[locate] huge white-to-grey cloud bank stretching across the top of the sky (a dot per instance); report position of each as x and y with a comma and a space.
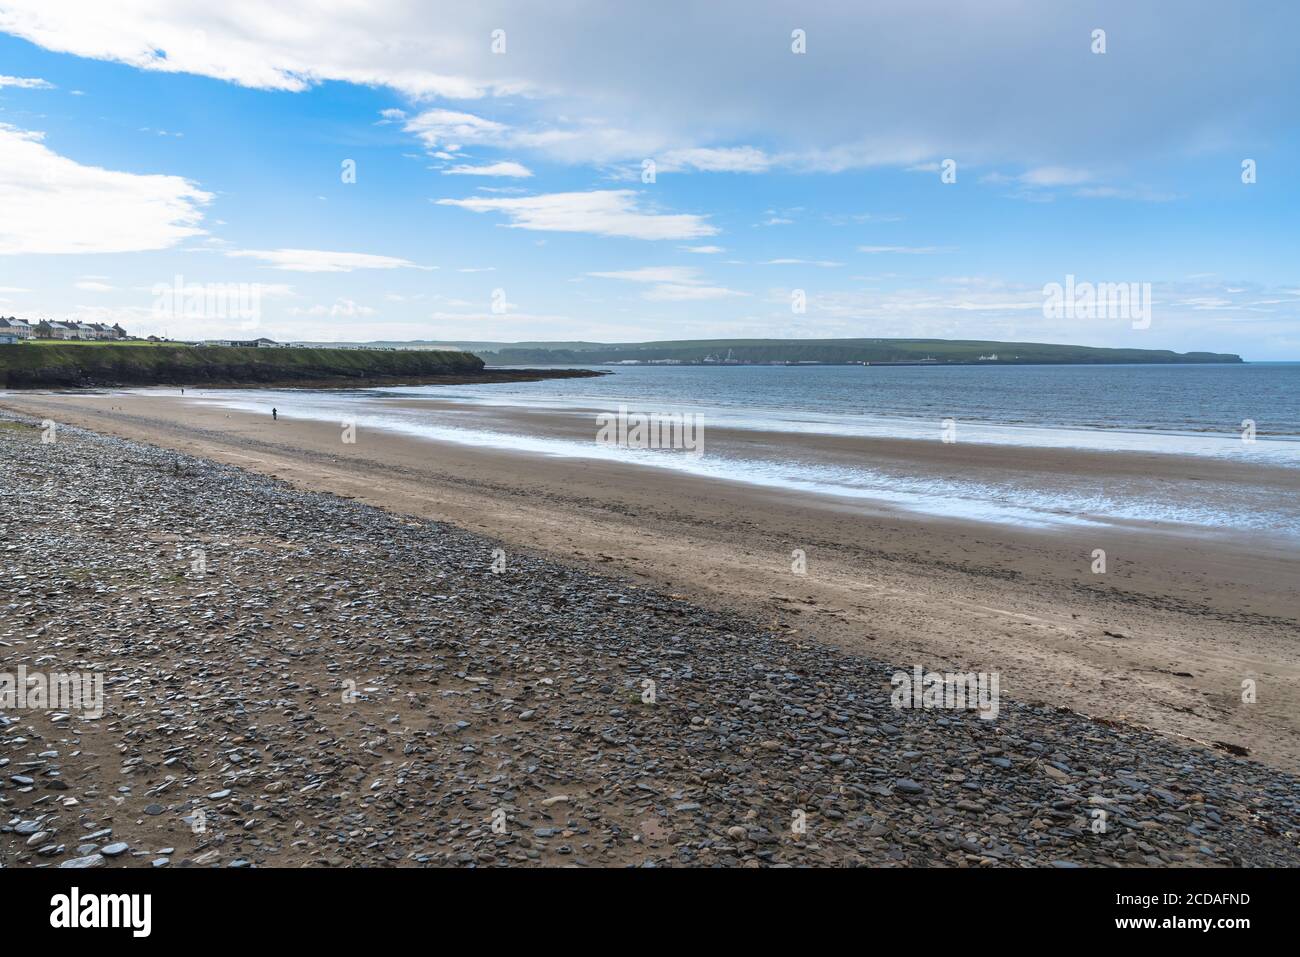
809, 112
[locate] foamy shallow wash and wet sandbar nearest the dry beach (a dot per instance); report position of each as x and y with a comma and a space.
1048, 484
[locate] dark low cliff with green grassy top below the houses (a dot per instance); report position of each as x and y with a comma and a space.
49, 366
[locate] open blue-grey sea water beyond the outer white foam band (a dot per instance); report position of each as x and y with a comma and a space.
1150, 399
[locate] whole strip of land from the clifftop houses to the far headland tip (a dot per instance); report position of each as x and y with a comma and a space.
58, 356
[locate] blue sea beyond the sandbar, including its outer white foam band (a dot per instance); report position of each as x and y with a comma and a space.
1189, 410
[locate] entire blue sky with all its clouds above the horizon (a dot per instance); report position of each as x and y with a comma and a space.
623, 172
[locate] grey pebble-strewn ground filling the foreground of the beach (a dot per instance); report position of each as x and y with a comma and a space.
475, 698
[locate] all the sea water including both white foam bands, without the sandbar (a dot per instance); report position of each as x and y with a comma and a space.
1175, 410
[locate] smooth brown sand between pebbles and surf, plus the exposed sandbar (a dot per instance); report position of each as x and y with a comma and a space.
1163, 640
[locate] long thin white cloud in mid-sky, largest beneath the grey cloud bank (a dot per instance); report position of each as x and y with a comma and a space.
604, 213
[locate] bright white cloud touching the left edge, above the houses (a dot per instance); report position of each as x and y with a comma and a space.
54, 205
